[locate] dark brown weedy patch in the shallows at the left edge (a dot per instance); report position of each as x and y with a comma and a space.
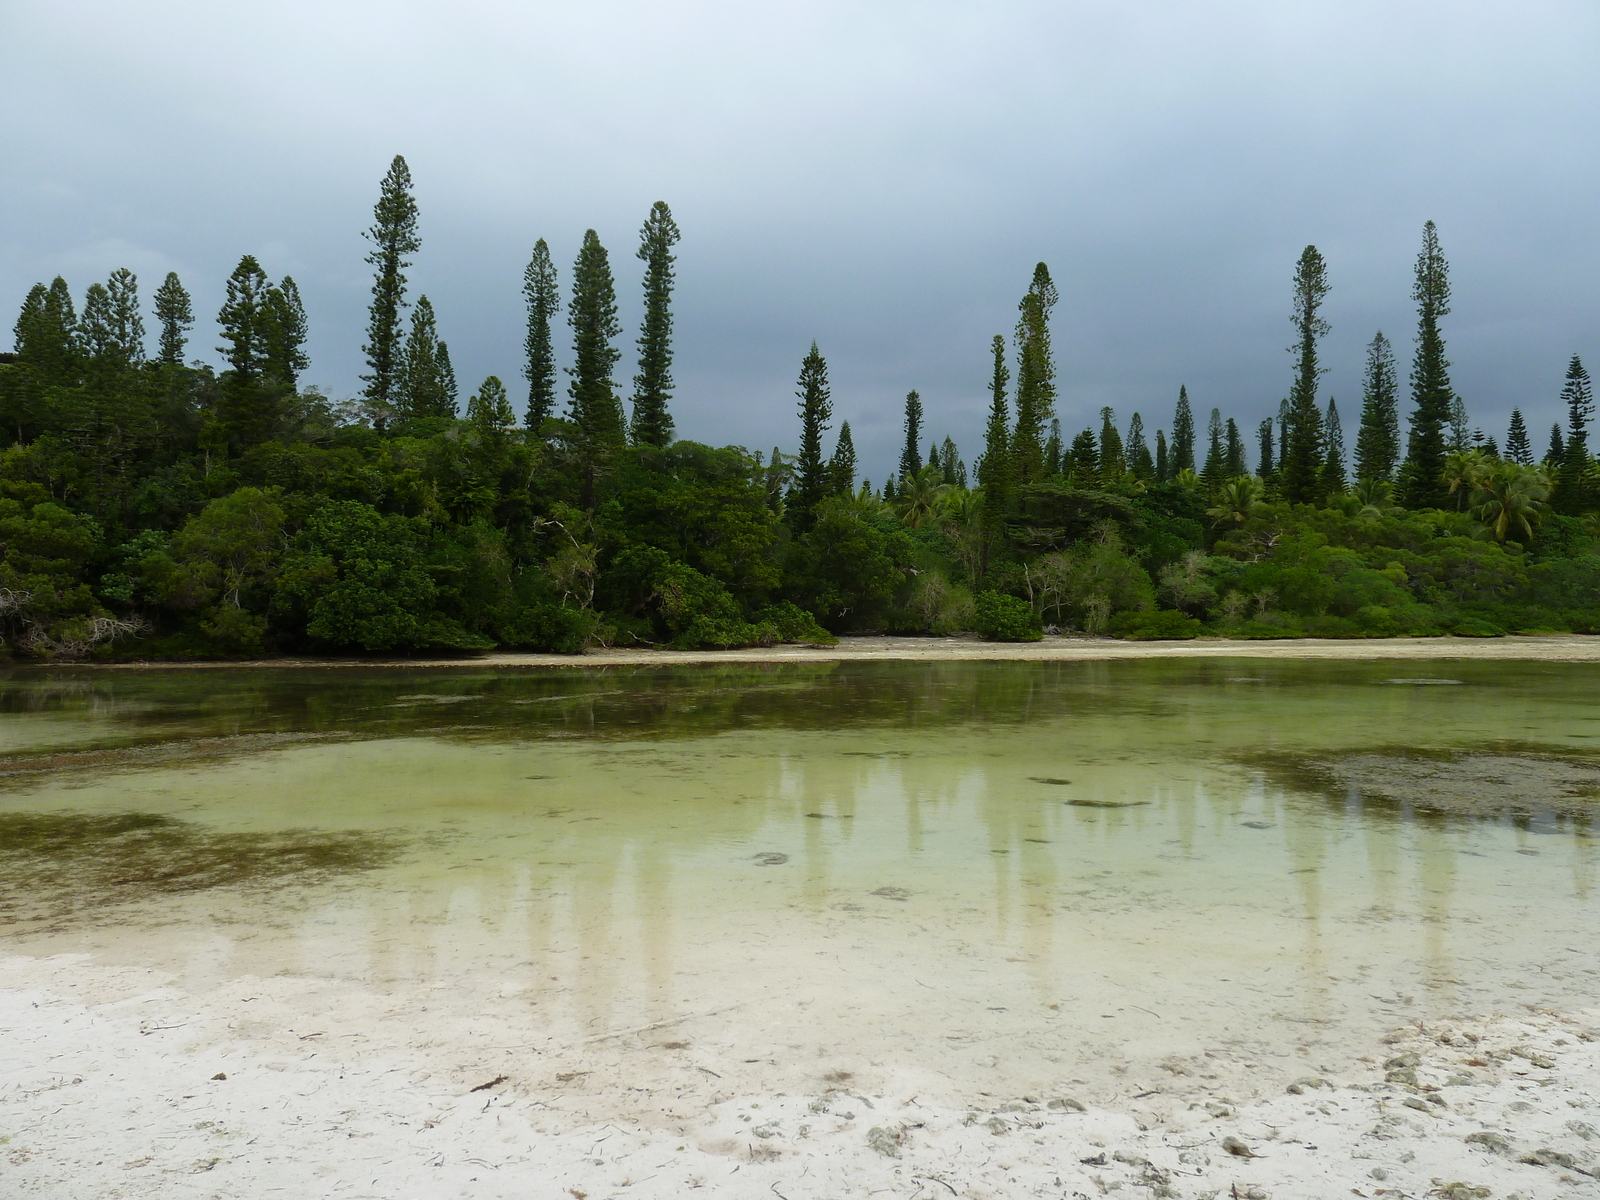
58, 865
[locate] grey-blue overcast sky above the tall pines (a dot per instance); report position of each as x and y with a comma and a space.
878, 177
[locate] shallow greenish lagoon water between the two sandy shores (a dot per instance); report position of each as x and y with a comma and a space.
994, 878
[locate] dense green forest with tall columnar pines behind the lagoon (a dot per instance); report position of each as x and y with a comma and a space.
156, 506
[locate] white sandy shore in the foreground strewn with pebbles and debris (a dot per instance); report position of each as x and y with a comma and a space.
289, 1087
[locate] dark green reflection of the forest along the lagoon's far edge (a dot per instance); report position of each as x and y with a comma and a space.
679, 702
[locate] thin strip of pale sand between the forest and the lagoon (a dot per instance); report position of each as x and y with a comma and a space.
969, 649
